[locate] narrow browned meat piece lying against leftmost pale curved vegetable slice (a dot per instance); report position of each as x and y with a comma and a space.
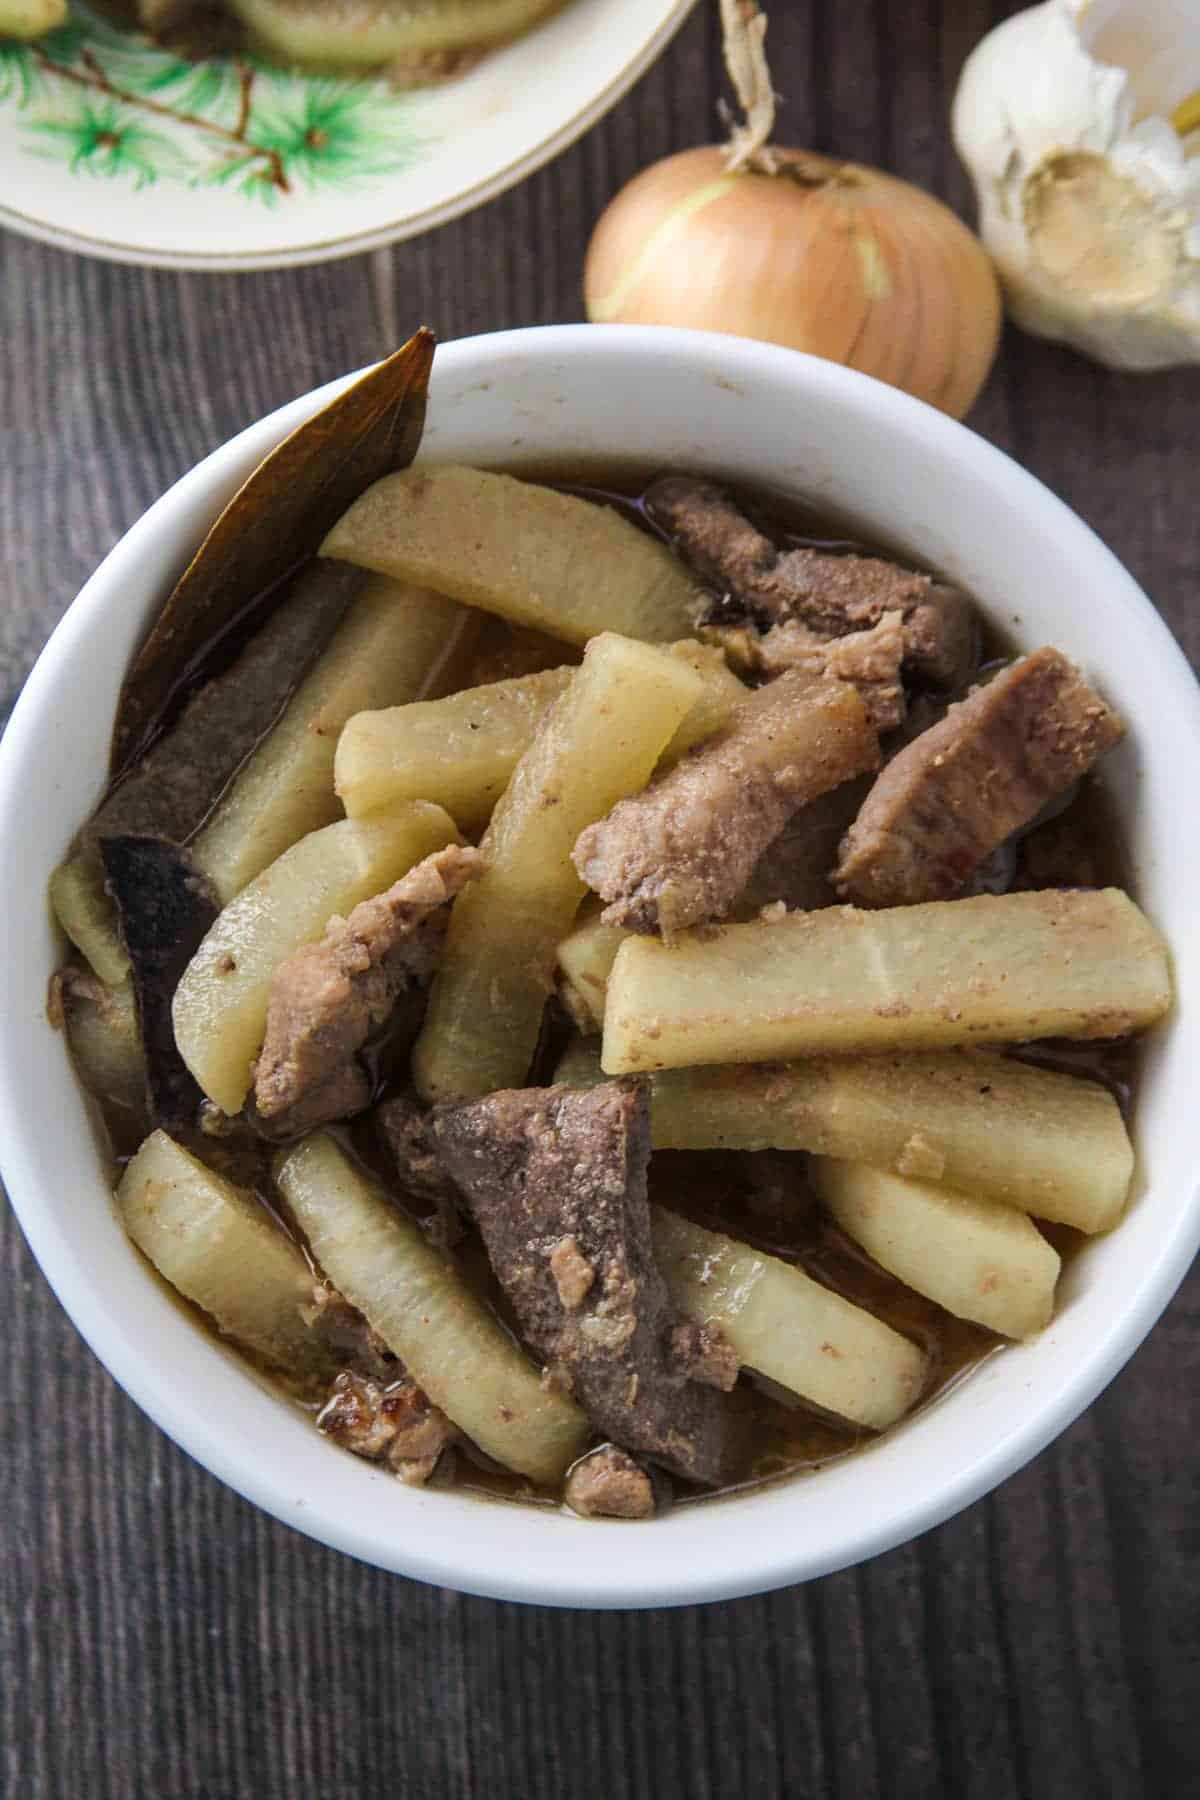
328, 998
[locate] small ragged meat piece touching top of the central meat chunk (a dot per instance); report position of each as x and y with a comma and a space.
870, 661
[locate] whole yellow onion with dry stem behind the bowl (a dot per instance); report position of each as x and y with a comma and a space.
800, 249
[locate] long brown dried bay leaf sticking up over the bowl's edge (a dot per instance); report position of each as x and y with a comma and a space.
274, 523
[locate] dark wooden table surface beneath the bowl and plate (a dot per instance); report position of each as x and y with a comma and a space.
163, 1639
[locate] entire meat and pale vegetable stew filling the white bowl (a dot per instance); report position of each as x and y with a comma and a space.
483, 1036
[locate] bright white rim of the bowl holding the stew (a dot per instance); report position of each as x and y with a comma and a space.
771, 1561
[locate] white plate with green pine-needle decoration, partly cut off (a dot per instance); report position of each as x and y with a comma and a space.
118, 148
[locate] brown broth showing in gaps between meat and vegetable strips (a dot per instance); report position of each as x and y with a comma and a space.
762, 1200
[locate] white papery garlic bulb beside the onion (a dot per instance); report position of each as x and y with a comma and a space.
1080, 127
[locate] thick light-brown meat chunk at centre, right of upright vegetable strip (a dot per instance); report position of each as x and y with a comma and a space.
685, 850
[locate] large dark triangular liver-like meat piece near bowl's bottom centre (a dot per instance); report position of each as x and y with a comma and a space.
541, 1165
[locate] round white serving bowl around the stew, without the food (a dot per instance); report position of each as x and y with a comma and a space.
766, 417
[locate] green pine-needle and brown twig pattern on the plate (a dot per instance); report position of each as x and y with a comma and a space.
112, 103
